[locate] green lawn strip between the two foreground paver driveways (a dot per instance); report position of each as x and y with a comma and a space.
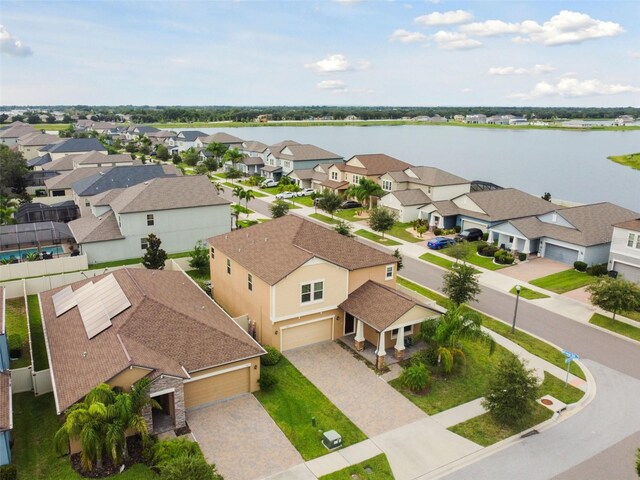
293, 402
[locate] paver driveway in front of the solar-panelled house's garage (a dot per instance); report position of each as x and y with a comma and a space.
240, 437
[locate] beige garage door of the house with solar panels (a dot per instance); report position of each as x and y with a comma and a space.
215, 388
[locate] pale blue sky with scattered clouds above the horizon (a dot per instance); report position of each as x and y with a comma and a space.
333, 52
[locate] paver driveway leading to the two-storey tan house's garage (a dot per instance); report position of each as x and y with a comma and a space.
362, 396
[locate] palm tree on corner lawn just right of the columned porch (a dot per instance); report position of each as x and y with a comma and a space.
446, 332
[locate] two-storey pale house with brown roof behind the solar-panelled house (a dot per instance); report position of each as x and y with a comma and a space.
179, 210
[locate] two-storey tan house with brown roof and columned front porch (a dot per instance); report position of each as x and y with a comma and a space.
291, 277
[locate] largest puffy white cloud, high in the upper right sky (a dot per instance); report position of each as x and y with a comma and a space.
564, 28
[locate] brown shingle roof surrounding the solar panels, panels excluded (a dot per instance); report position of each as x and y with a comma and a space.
171, 324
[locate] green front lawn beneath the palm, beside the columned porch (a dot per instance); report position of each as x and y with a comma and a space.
464, 386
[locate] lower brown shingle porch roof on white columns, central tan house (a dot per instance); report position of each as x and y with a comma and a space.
380, 306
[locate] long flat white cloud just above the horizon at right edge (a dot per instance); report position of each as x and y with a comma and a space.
573, 88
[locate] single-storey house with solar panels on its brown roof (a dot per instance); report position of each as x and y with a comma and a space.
119, 327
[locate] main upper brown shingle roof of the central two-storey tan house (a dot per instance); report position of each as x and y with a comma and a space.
274, 249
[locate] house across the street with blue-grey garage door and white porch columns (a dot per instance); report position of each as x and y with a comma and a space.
566, 235
